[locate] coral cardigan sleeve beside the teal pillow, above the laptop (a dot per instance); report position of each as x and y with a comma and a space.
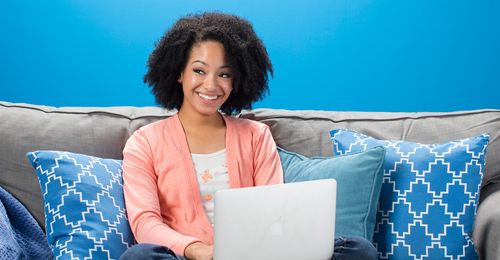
267, 163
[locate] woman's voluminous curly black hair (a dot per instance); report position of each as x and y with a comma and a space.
244, 52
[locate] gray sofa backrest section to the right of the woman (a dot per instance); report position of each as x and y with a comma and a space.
307, 131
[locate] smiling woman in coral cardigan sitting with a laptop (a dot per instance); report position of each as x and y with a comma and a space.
208, 67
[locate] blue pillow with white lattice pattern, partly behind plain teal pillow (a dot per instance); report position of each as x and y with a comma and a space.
429, 195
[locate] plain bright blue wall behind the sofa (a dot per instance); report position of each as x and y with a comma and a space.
328, 54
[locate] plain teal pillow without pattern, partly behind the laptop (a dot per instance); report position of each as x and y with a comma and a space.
356, 200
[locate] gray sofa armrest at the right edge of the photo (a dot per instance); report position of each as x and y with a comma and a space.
487, 228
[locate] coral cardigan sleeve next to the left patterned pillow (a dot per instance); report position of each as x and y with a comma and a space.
141, 198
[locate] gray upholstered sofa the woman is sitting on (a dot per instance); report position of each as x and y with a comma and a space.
103, 131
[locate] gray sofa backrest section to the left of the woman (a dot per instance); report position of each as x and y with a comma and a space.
99, 132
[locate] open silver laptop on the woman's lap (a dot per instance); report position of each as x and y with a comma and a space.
286, 221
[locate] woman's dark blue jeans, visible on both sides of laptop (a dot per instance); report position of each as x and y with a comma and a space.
345, 248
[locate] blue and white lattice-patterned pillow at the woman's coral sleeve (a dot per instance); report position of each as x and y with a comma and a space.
84, 206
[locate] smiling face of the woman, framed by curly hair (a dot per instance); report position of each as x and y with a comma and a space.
206, 80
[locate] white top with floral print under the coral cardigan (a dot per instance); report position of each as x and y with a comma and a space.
211, 172
